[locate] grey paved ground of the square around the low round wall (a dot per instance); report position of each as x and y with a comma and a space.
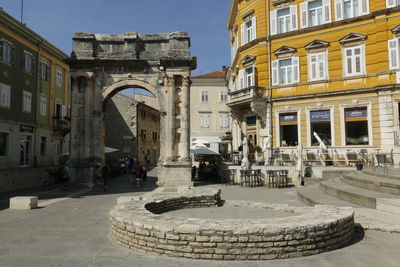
73, 231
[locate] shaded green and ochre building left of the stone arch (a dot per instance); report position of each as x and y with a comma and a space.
34, 104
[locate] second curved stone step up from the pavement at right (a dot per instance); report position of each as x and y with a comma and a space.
360, 196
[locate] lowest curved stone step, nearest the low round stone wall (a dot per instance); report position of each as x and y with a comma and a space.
312, 195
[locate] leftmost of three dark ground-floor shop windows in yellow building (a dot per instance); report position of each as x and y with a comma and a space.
288, 129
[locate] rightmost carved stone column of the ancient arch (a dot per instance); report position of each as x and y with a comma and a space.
185, 120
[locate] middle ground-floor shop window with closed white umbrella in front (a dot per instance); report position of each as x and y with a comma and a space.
321, 125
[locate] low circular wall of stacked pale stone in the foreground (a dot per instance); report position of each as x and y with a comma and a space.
146, 225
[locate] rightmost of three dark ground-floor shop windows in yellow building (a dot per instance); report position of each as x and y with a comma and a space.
356, 126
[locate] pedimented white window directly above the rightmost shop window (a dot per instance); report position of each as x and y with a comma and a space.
354, 63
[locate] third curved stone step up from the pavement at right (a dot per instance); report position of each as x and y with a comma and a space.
371, 182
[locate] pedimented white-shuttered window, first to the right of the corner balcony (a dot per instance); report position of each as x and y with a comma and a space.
285, 71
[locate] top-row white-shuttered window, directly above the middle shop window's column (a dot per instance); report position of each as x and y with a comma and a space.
313, 13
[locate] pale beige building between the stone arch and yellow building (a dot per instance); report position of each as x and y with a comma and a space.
209, 114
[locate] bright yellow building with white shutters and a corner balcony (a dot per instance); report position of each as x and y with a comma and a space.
329, 67
